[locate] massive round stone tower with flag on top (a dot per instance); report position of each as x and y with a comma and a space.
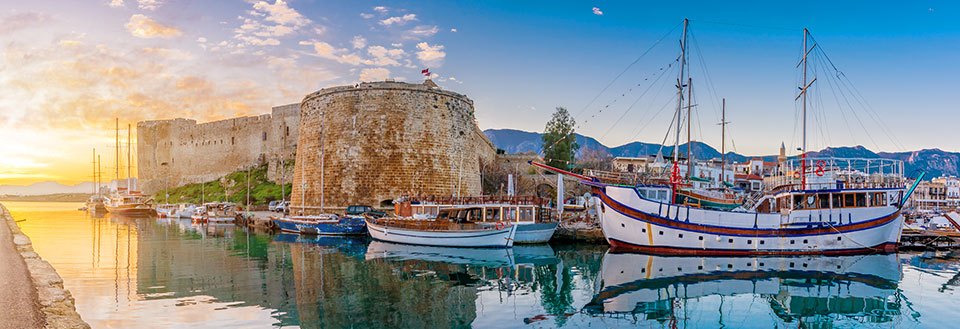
370, 143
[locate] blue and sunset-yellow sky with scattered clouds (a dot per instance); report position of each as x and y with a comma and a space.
885, 71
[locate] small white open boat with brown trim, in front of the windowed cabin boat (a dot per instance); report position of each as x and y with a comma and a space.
454, 227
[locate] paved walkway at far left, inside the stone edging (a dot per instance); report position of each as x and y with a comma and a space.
19, 306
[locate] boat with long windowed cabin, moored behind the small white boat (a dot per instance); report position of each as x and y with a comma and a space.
535, 221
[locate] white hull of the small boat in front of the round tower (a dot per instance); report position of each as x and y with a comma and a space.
490, 238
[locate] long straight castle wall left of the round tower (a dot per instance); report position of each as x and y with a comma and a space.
180, 151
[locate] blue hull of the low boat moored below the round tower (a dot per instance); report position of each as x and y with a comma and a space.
327, 224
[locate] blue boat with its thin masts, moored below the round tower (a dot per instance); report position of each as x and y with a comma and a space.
321, 224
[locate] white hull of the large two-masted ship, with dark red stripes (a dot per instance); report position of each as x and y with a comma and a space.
631, 222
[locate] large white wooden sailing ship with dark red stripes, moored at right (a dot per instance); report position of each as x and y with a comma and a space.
825, 207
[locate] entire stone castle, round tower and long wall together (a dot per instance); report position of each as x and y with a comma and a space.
361, 144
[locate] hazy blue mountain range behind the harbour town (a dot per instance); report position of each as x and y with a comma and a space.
934, 162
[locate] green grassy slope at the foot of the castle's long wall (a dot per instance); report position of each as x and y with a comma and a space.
232, 187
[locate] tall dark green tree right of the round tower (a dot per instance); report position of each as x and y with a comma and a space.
559, 141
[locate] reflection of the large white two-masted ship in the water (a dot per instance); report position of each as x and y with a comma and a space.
808, 290
